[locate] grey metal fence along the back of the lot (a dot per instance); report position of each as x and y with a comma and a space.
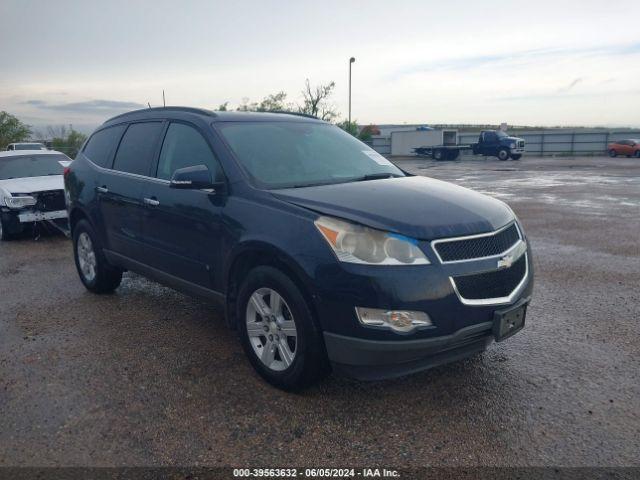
542, 142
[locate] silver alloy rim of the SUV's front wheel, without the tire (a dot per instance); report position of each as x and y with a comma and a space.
271, 329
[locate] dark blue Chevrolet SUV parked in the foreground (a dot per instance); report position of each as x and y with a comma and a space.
322, 252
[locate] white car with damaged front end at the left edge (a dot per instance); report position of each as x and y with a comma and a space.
31, 190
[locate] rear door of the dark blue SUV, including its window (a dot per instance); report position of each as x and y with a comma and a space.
120, 189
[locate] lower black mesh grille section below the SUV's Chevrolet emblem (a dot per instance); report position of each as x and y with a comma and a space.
495, 284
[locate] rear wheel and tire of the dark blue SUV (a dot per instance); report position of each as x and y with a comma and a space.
97, 275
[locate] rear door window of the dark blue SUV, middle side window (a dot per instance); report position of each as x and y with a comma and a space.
137, 148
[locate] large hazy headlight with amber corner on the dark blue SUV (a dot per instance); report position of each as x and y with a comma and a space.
357, 244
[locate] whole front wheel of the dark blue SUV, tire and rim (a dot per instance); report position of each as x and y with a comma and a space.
278, 331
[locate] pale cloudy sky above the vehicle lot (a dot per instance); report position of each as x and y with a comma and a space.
429, 62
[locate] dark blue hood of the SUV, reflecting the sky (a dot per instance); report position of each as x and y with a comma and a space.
419, 207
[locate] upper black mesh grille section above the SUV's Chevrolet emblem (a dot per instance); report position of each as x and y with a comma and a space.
485, 246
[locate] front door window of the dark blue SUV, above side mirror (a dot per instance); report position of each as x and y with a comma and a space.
184, 146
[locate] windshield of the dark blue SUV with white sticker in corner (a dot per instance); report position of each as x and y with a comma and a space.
299, 154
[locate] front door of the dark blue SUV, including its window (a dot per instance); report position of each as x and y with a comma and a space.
182, 227
